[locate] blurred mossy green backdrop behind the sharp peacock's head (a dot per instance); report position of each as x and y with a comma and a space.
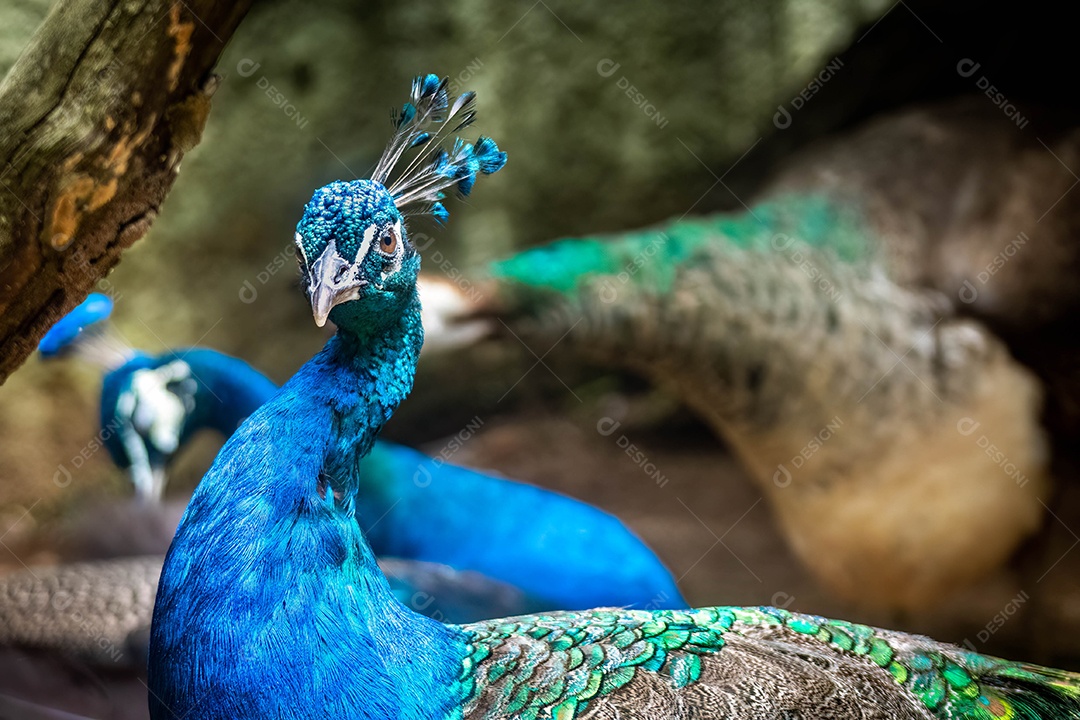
306, 100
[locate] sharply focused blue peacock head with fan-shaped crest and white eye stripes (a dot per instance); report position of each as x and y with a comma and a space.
356, 257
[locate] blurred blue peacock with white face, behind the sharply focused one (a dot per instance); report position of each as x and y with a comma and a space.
413, 508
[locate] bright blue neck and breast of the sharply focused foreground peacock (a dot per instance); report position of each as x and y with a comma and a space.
271, 597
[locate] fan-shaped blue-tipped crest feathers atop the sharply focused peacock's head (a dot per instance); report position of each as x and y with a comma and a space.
425, 125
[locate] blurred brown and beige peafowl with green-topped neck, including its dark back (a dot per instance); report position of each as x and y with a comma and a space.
844, 338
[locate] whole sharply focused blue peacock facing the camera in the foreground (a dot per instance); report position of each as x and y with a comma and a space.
271, 603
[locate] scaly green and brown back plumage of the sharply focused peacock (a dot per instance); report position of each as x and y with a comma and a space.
748, 663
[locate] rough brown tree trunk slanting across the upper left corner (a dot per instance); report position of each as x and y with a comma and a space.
94, 118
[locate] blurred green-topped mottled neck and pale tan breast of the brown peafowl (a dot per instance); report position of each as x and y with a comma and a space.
848, 395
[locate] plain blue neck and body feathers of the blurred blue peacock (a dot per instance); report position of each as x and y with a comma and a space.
564, 553
